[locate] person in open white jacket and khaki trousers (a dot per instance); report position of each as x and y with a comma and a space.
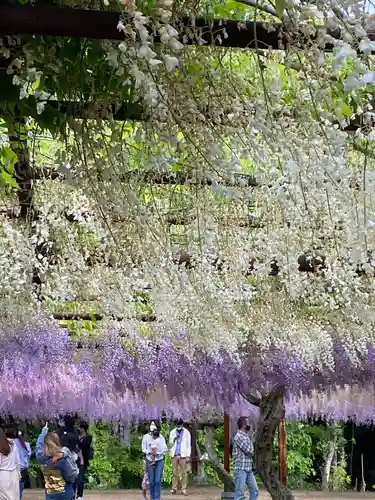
180, 442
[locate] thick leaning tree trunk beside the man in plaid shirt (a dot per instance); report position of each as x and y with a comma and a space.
272, 411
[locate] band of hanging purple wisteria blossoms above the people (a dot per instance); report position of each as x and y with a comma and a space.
44, 374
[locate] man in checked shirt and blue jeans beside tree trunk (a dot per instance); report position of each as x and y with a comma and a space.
243, 452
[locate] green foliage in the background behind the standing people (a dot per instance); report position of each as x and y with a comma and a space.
118, 466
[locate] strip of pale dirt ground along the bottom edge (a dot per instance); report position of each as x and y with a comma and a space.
200, 494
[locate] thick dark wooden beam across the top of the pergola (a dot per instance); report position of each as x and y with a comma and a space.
80, 23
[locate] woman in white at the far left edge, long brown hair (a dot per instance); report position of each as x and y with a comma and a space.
9, 469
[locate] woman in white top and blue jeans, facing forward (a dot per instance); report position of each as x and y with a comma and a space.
154, 448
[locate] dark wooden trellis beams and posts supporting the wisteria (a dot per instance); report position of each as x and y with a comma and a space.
65, 22
